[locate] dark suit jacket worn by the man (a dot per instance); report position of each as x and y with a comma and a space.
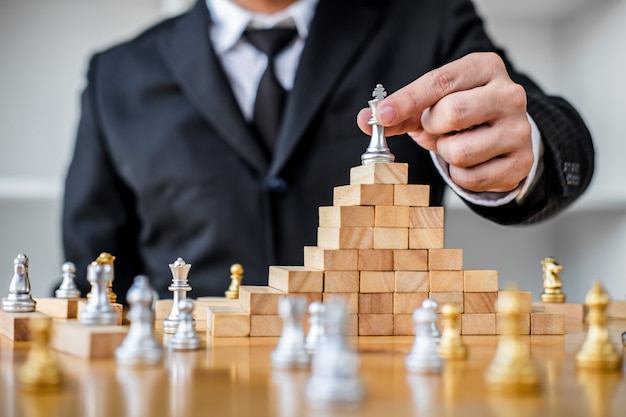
165, 166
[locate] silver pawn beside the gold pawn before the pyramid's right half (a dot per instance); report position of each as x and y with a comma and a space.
423, 356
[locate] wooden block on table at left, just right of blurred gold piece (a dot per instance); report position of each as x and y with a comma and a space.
87, 342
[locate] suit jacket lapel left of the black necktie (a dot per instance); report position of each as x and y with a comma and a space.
189, 54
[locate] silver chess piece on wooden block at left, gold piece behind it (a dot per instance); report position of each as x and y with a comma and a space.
99, 309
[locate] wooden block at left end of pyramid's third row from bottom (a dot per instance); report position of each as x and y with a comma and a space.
296, 279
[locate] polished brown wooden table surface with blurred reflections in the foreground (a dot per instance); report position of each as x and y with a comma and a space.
234, 377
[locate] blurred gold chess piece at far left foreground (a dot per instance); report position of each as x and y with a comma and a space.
40, 372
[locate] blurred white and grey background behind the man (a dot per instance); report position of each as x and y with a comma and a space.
572, 48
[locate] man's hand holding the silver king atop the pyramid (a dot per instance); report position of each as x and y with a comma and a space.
472, 114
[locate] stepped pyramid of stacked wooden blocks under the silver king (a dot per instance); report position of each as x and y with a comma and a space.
380, 247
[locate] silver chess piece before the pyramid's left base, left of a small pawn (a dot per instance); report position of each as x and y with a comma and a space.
290, 352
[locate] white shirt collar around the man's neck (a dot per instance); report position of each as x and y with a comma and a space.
230, 20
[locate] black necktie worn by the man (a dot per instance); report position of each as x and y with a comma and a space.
270, 98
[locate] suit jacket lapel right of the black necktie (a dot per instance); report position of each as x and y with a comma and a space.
321, 65
